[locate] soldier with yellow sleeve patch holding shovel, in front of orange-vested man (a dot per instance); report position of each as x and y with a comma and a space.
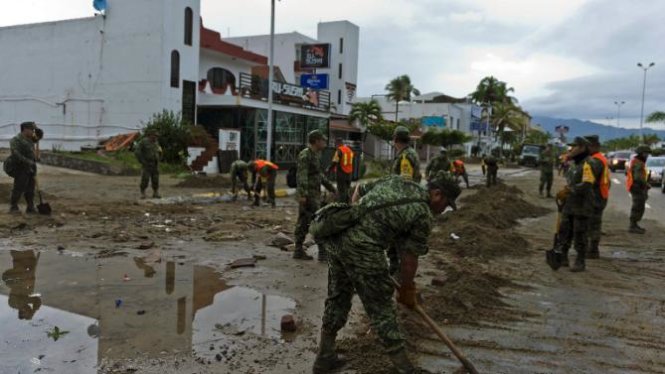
578, 204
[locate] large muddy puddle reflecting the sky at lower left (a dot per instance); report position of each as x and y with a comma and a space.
164, 308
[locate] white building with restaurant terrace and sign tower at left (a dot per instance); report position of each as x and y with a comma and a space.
87, 79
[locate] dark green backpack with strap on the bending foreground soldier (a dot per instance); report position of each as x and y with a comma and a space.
335, 218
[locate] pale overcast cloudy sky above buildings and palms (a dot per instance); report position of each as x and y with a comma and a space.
565, 58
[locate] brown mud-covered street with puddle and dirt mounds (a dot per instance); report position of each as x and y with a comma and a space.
149, 287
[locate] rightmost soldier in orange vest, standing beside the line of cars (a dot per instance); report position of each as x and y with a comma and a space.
638, 186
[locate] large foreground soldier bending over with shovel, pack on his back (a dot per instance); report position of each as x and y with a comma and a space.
357, 263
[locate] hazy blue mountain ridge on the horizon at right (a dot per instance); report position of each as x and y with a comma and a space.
581, 128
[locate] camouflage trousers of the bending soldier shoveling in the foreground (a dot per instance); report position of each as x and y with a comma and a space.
375, 290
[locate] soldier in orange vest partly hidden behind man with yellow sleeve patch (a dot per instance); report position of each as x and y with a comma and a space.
601, 194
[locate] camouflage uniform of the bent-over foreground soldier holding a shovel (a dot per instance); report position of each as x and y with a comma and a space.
357, 261
